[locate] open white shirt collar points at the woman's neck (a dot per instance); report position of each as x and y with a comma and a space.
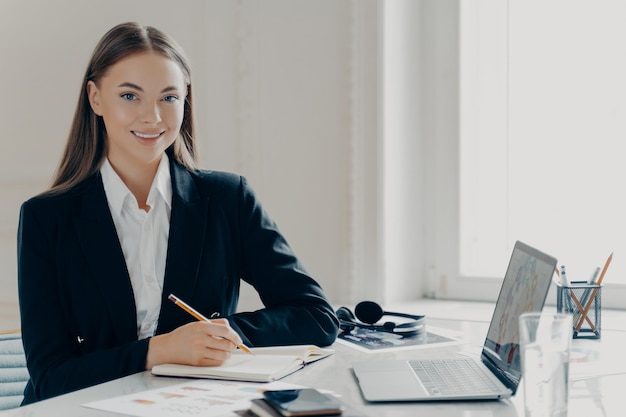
117, 192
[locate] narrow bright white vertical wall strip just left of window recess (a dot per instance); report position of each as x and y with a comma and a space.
402, 188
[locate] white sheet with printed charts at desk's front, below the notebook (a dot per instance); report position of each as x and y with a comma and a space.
208, 398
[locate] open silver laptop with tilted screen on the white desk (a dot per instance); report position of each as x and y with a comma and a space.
496, 374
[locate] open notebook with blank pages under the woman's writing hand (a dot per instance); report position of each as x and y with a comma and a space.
267, 364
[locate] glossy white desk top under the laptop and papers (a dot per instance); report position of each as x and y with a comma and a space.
599, 396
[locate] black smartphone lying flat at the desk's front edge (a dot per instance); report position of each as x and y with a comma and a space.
303, 402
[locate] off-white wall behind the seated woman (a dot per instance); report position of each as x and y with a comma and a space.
286, 93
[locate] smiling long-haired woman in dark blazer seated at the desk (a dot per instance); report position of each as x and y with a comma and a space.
130, 220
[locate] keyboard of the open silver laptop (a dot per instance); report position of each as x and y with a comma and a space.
460, 376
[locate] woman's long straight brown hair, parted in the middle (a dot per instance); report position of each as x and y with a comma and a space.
86, 145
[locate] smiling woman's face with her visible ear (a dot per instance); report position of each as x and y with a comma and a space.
141, 100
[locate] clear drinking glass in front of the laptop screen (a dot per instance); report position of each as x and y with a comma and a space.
545, 341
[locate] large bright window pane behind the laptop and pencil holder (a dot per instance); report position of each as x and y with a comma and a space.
542, 136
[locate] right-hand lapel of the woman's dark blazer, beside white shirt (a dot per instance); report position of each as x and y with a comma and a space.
188, 224
